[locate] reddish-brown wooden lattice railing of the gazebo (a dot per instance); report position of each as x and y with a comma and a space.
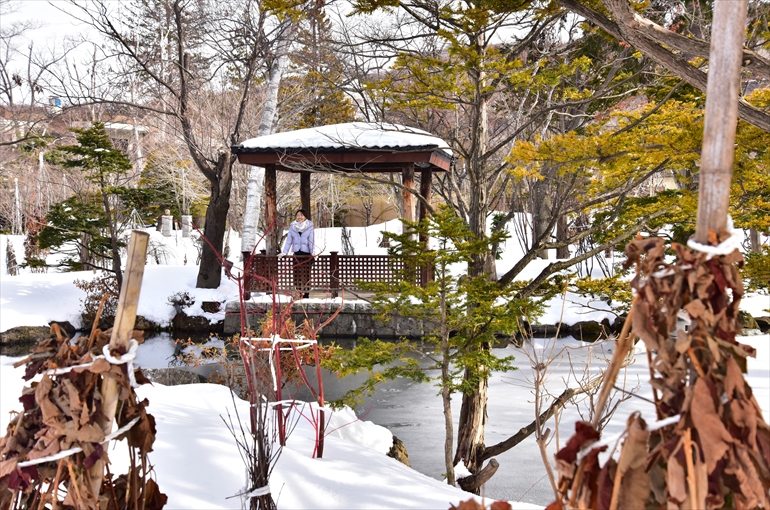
326, 273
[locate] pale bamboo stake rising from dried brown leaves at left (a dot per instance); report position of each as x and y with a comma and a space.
121, 335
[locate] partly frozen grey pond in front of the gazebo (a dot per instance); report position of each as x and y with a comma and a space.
413, 411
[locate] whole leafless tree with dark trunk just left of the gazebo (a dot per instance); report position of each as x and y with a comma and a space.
189, 56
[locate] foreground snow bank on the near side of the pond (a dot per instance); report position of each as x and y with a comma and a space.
198, 466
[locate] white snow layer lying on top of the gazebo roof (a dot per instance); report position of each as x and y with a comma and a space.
355, 136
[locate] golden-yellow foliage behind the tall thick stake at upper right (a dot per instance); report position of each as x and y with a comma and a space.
624, 146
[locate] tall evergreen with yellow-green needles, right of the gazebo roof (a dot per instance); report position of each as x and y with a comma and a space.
452, 75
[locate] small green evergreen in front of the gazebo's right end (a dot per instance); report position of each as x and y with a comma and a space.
460, 313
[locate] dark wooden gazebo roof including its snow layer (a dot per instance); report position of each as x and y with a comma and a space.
353, 146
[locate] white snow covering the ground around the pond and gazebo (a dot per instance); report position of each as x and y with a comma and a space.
195, 457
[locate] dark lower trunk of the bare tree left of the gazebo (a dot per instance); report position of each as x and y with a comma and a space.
210, 272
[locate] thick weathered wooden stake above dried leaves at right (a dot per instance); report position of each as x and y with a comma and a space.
722, 92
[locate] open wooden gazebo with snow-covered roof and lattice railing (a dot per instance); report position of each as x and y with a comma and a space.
350, 148
